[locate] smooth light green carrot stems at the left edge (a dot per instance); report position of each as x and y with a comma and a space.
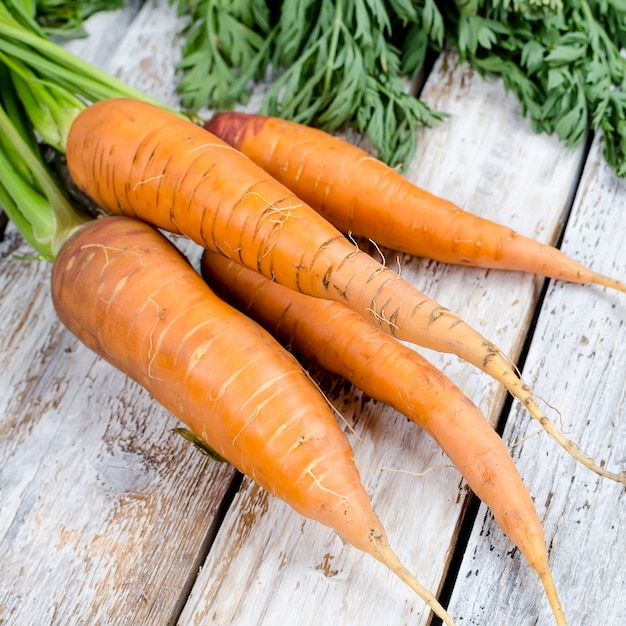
44, 89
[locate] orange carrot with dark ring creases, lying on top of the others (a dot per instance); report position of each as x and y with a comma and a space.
134, 158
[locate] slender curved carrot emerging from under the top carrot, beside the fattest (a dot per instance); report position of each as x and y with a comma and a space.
336, 338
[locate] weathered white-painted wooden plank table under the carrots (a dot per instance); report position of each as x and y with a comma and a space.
107, 517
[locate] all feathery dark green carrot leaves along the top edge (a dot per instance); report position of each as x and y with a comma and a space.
337, 63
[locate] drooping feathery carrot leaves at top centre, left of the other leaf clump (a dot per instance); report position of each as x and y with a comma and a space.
336, 62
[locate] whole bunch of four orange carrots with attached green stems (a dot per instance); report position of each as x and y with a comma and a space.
227, 379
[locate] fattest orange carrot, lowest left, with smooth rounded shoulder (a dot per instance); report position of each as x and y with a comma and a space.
130, 296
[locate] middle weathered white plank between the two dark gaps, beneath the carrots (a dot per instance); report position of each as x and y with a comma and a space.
487, 159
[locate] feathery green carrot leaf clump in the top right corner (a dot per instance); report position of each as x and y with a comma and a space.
562, 62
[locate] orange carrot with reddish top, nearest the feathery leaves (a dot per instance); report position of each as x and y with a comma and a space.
362, 195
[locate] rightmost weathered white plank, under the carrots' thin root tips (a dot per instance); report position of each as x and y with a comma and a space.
579, 356
